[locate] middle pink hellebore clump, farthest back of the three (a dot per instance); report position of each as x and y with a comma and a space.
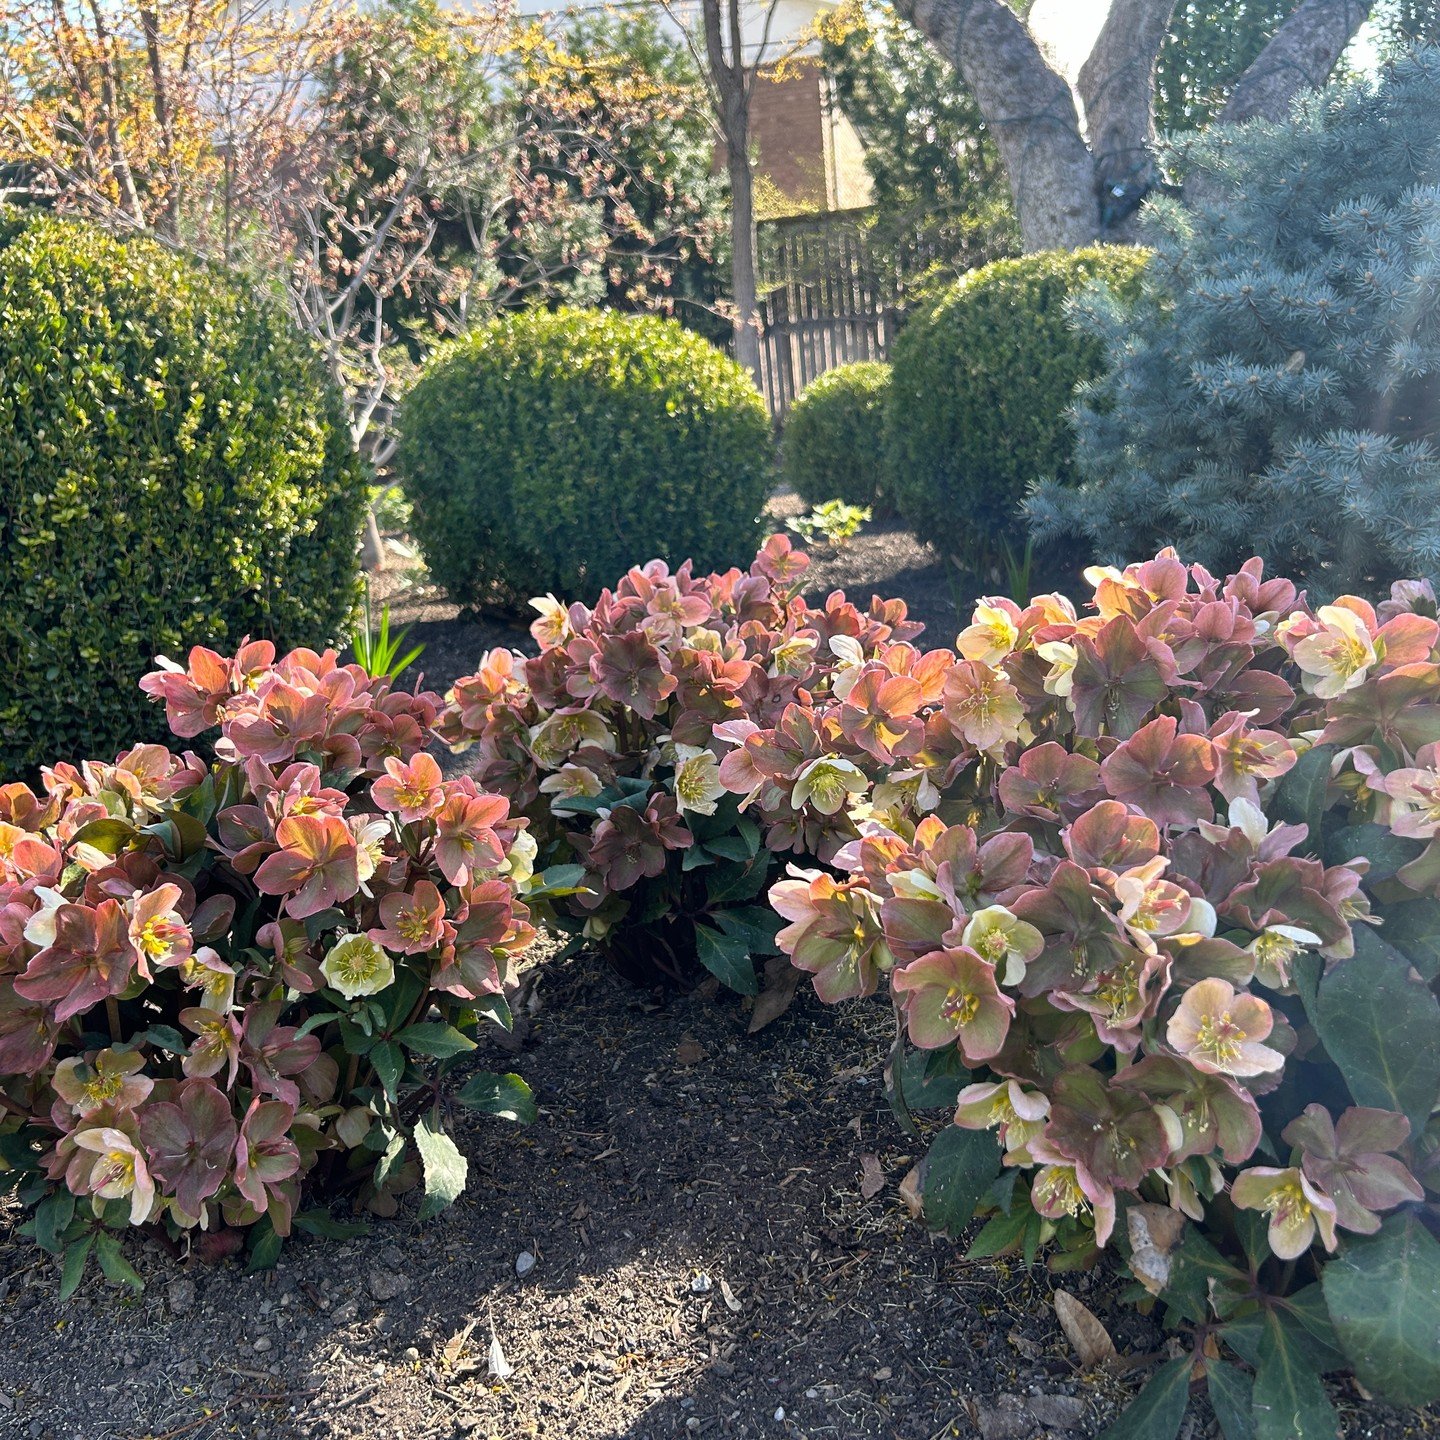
620, 739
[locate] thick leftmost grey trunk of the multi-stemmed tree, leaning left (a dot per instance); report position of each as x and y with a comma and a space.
1032, 112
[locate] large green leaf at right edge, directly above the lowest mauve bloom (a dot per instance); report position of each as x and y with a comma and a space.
1382, 1029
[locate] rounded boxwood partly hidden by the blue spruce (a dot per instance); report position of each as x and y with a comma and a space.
980, 397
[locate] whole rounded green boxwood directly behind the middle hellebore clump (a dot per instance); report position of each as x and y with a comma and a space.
554, 450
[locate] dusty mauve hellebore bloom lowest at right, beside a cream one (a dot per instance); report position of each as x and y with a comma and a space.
1349, 1160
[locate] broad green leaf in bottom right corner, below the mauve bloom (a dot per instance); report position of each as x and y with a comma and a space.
1383, 1292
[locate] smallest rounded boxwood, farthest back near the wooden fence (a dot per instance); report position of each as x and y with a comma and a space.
834, 444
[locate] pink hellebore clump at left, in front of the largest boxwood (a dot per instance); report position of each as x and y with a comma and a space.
227, 984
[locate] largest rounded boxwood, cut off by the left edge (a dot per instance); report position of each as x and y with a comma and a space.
175, 470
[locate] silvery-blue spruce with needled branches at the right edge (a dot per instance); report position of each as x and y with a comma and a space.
1275, 388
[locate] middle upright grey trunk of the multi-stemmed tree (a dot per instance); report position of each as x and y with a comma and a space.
1118, 93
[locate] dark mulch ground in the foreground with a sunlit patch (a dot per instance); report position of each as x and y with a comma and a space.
705, 1265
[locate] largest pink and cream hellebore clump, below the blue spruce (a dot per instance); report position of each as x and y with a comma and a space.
1156, 895
